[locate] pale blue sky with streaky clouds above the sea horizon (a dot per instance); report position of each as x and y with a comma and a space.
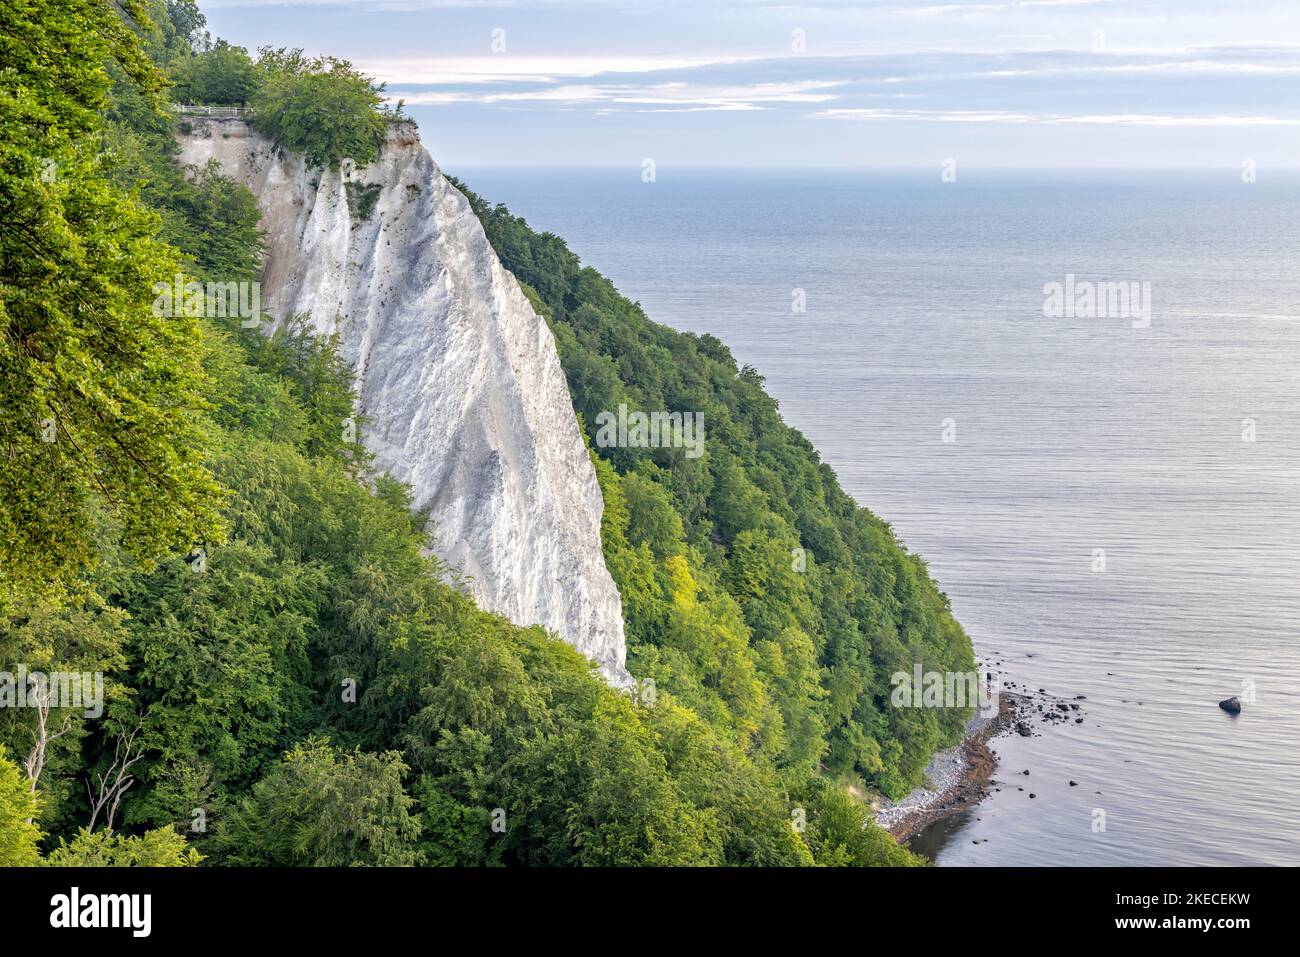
1024, 84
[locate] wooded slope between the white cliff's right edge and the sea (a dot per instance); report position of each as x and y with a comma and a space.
755, 588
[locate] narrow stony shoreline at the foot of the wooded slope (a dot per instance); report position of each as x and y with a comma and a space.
963, 776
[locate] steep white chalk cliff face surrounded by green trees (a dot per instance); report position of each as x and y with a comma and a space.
460, 383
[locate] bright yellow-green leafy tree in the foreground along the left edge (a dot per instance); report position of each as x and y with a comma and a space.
101, 399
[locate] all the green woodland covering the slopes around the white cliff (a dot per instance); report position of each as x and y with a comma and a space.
187, 509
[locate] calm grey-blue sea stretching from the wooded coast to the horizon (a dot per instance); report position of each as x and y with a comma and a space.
924, 305
